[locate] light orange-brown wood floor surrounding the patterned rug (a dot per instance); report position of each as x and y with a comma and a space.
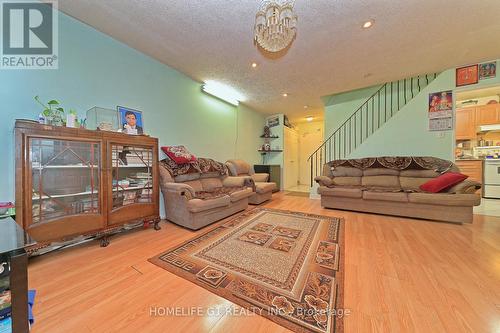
401, 275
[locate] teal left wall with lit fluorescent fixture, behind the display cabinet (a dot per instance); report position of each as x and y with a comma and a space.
96, 70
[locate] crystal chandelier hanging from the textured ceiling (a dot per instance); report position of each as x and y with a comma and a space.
275, 25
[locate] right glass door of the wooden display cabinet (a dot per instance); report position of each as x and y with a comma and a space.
132, 175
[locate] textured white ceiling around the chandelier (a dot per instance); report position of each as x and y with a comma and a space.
213, 40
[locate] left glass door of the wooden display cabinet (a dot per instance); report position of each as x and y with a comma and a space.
64, 178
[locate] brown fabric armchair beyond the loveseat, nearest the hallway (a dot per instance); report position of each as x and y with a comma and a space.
263, 189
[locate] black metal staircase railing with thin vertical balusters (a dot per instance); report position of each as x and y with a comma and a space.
368, 118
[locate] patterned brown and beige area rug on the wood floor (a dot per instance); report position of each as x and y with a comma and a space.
286, 266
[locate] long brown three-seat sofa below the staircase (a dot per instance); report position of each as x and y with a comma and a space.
390, 185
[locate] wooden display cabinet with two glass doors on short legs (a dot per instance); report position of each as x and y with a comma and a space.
72, 182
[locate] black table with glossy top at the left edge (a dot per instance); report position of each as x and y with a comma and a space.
15, 262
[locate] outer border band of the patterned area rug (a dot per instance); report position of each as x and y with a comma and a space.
338, 324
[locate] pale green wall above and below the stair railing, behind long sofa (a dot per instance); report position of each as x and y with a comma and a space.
406, 133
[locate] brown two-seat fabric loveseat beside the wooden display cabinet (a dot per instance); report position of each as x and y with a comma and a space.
198, 194
